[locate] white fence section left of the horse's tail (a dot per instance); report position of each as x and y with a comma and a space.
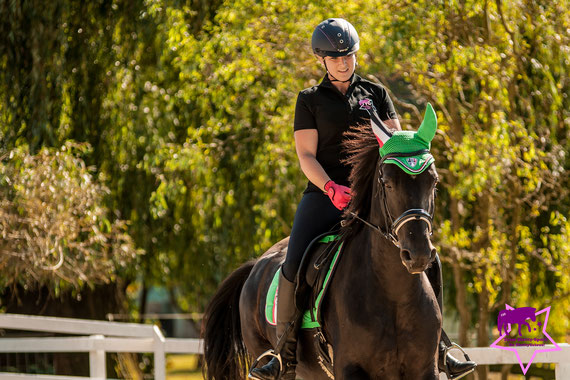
97, 338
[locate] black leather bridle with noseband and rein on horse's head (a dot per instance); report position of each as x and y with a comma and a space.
391, 225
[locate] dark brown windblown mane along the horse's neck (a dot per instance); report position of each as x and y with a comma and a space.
362, 149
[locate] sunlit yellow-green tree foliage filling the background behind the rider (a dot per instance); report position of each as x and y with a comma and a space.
189, 109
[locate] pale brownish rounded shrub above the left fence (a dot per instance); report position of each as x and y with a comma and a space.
54, 227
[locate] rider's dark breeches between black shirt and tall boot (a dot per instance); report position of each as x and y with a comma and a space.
315, 215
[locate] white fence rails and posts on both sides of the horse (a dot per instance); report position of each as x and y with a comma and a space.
98, 338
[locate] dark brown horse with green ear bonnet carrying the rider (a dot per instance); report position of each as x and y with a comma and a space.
380, 316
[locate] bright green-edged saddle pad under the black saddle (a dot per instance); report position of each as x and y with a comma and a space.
271, 299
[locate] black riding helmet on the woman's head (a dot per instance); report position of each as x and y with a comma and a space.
335, 37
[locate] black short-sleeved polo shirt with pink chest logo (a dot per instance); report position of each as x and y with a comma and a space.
326, 109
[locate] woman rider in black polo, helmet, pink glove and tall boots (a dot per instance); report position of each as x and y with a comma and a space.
323, 113
